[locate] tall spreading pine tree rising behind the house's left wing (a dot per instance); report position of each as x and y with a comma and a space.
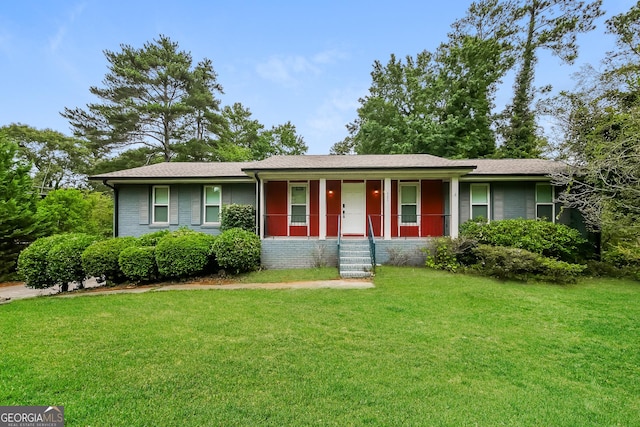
153, 97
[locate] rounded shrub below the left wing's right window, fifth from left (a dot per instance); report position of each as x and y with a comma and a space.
184, 253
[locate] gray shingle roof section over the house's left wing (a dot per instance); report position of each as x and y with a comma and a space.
180, 170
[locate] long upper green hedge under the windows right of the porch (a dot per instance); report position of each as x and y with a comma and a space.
541, 237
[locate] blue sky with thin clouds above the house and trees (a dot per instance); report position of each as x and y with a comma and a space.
298, 61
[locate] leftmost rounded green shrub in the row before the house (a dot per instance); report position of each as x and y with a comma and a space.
32, 262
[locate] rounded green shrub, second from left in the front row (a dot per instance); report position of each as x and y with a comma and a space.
64, 260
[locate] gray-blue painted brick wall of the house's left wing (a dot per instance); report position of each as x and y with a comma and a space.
186, 207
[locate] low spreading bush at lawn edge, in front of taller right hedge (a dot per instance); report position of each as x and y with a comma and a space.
519, 264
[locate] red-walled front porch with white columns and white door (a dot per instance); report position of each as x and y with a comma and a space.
385, 209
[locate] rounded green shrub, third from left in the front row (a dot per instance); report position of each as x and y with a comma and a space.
101, 258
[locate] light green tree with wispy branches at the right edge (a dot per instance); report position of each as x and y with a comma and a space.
600, 121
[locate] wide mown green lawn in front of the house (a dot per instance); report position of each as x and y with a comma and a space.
422, 348
